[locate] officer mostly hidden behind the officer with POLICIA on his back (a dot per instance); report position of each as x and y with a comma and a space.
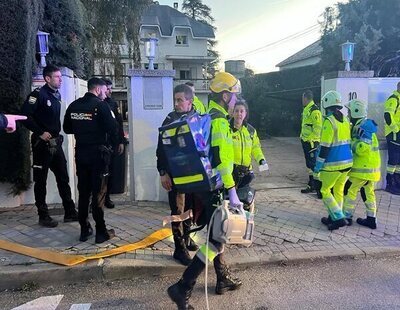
118, 149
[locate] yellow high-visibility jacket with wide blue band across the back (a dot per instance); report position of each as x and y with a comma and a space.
336, 137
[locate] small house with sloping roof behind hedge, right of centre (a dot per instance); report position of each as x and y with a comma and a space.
309, 55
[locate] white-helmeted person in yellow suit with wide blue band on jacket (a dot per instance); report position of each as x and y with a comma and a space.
334, 159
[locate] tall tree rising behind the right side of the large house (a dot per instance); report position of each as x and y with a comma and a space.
202, 13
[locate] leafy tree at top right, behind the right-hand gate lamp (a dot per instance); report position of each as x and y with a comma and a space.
373, 26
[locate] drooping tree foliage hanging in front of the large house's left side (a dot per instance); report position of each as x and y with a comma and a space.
114, 23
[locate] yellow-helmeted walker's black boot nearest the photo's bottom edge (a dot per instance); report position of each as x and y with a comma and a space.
180, 292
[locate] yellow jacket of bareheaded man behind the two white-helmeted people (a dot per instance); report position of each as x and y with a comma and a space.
311, 123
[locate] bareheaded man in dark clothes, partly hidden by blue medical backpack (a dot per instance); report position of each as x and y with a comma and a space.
183, 99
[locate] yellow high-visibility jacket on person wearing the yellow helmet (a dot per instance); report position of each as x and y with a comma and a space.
221, 143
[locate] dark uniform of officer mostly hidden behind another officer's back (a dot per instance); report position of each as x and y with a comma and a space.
120, 140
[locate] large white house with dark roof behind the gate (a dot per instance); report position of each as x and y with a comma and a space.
182, 46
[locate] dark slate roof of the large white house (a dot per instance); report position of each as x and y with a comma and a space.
167, 18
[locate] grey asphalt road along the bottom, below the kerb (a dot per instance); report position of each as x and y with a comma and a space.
338, 284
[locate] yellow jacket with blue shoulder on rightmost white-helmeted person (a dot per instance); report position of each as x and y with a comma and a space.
366, 158
